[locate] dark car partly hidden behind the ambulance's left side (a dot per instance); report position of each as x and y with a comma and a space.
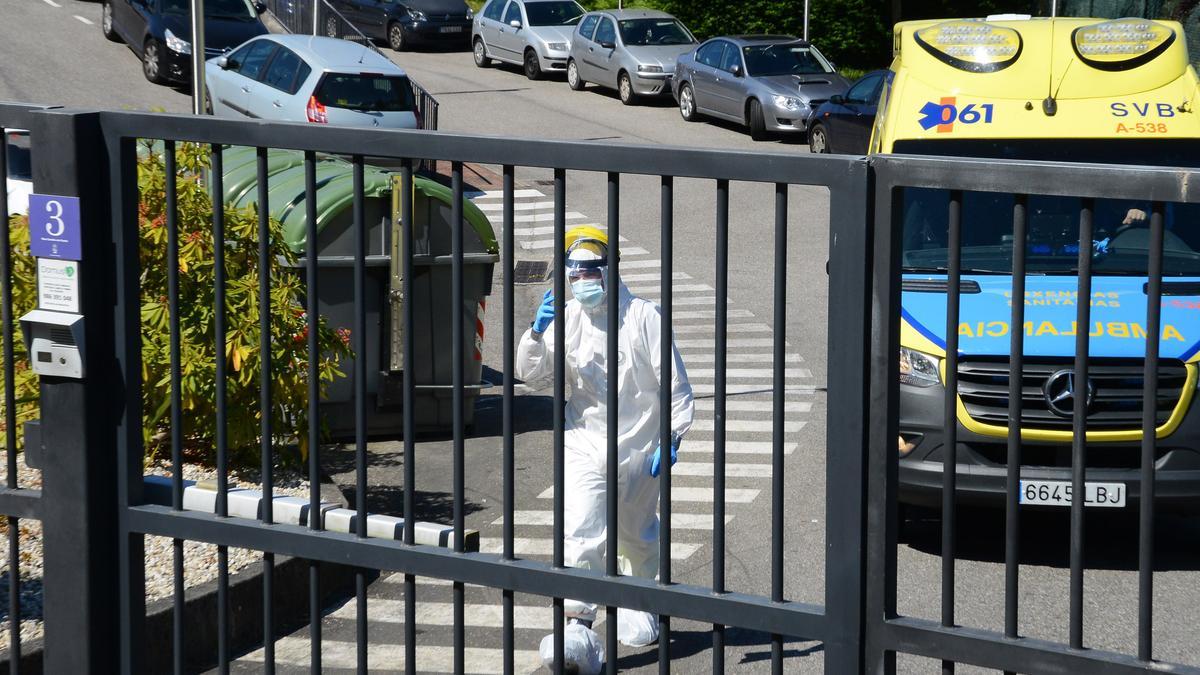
843, 124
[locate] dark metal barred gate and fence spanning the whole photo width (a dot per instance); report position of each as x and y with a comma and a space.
98, 422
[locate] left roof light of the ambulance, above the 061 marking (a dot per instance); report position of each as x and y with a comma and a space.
971, 46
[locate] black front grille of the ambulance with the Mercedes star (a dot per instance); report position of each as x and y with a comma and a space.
1117, 401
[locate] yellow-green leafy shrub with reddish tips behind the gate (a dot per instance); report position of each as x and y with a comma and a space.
289, 357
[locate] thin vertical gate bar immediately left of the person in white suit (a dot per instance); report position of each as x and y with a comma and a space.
509, 386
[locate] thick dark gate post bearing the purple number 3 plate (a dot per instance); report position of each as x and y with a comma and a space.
80, 417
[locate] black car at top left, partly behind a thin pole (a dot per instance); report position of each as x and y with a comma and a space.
160, 32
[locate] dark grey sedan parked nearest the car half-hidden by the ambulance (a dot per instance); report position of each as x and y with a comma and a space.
770, 83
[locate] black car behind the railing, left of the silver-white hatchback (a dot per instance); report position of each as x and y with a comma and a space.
403, 23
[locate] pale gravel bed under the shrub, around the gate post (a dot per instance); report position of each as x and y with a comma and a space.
200, 560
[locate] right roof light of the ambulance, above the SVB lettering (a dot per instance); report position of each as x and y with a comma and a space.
1123, 44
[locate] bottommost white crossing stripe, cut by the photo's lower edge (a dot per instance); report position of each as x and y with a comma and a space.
295, 652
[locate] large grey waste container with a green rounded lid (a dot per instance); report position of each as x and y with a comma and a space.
433, 302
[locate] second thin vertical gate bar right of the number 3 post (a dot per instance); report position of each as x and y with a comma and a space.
219, 322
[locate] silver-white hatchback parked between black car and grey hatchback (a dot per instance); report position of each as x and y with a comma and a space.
533, 34
